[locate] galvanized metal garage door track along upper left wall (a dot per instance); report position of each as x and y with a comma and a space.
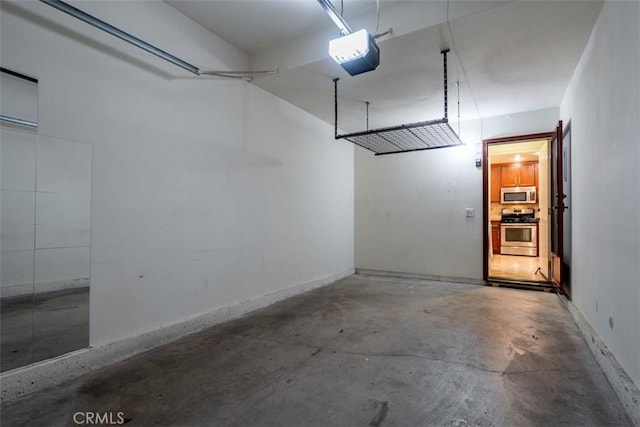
116, 32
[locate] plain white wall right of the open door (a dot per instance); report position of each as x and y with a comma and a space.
602, 105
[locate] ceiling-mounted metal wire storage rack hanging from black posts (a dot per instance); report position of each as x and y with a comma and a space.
418, 136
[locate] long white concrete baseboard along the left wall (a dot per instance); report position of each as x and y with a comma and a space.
38, 376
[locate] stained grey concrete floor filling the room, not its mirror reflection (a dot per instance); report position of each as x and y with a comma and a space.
362, 351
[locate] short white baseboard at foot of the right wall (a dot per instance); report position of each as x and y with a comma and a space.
625, 388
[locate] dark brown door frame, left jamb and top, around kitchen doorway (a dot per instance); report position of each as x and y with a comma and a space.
486, 190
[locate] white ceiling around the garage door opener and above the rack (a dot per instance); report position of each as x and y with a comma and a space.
517, 56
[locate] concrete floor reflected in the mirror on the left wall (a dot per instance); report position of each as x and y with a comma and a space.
42, 326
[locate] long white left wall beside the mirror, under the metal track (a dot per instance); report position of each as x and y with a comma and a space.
206, 192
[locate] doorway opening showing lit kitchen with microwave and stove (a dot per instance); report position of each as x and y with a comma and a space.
517, 205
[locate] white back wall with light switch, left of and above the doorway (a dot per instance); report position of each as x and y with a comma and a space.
410, 208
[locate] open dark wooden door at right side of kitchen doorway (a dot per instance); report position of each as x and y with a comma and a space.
557, 209
